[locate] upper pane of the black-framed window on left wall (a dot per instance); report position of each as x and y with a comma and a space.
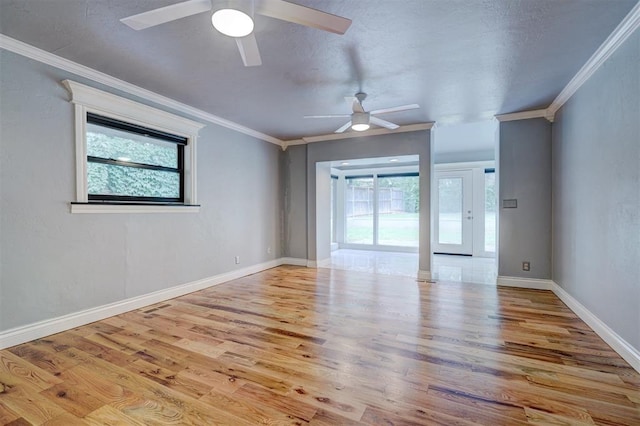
105, 142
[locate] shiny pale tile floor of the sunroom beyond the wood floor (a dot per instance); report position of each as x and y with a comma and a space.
479, 270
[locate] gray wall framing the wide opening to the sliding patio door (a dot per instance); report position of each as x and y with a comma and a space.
368, 147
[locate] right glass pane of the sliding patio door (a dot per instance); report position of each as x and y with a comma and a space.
398, 203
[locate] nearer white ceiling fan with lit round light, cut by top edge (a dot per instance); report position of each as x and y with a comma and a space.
235, 19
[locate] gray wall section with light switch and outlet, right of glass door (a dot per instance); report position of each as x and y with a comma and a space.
524, 174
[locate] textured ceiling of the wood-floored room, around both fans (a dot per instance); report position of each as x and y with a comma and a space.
461, 60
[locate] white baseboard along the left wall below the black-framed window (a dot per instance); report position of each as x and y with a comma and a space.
18, 335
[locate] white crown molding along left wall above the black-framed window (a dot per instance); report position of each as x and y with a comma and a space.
32, 52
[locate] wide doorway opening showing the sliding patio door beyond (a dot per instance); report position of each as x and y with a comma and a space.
374, 219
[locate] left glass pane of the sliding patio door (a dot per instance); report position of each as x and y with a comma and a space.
359, 210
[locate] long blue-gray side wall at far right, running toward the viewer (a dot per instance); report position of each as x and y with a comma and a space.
596, 193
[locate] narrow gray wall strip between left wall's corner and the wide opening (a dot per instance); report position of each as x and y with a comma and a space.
295, 202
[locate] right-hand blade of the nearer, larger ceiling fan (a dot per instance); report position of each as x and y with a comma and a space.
302, 15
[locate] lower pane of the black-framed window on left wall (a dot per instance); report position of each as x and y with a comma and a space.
106, 179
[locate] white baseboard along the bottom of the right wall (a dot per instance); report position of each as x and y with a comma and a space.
617, 343
